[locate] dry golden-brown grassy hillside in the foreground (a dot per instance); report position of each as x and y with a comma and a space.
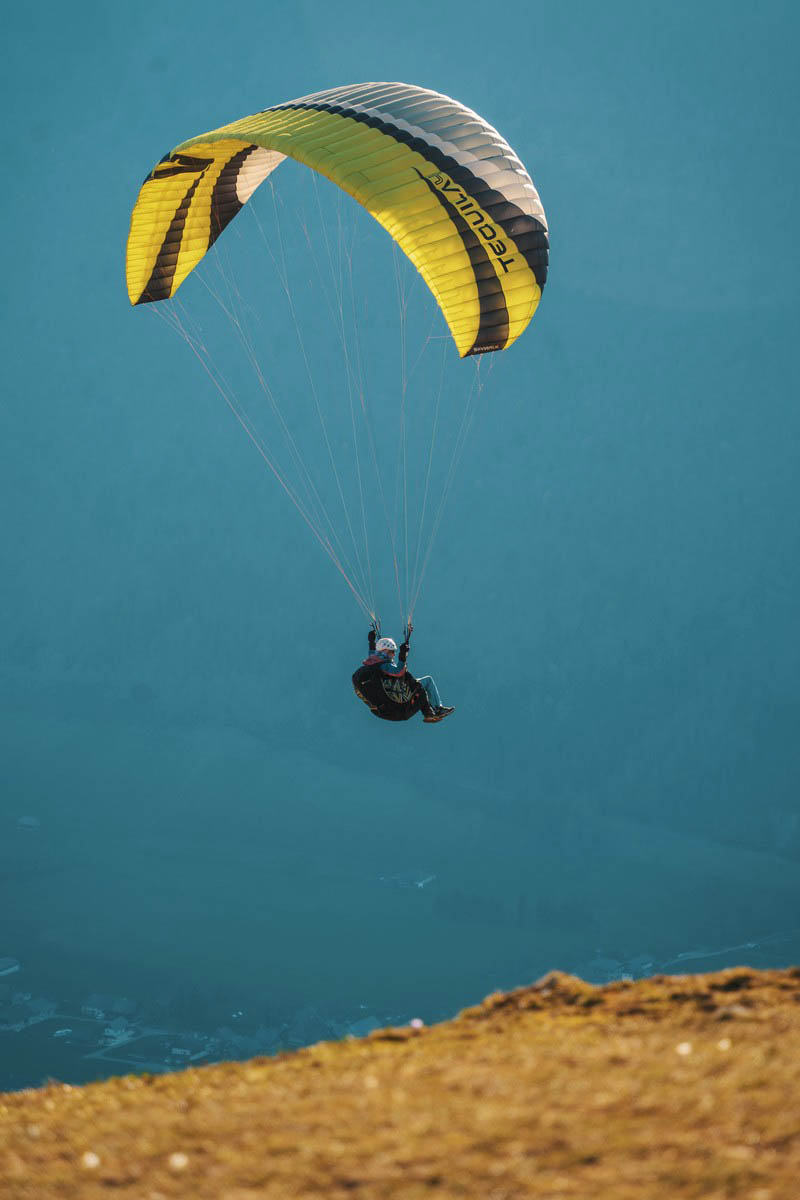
667, 1088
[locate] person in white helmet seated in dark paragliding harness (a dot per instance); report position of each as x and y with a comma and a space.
384, 683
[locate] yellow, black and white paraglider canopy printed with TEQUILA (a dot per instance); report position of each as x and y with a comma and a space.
441, 181
